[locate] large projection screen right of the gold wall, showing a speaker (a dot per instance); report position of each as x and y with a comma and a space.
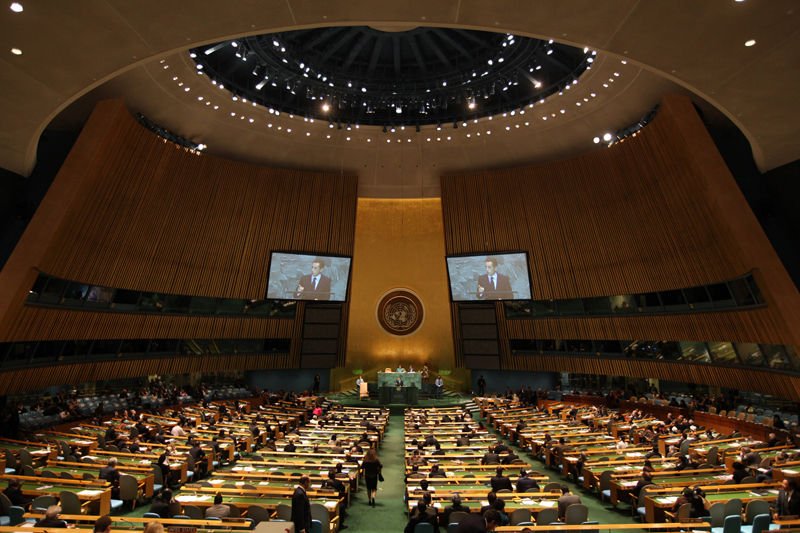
486, 277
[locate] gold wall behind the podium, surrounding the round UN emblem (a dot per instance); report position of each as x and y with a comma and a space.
398, 243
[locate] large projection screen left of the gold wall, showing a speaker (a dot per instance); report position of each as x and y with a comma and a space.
308, 277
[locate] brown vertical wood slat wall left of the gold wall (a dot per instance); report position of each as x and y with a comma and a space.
150, 216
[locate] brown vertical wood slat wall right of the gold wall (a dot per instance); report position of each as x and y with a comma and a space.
632, 218
